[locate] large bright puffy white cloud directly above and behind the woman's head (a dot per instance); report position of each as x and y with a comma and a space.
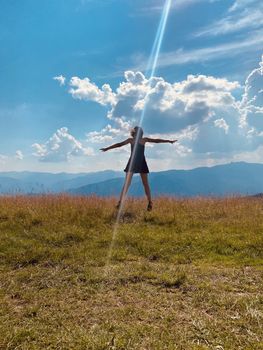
170, 107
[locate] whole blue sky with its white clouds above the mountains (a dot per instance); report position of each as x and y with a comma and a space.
208, 92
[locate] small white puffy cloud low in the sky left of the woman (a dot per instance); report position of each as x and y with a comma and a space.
60, 147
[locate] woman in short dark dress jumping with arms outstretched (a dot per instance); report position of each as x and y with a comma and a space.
137, 162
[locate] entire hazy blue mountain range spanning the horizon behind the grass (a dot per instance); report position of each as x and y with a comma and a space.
230, 179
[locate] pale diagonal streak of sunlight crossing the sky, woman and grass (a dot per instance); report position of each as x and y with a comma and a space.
150, 72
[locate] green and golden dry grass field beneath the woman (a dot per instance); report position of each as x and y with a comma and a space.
188, 275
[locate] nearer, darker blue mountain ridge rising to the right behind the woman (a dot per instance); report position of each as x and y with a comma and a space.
230, 179
